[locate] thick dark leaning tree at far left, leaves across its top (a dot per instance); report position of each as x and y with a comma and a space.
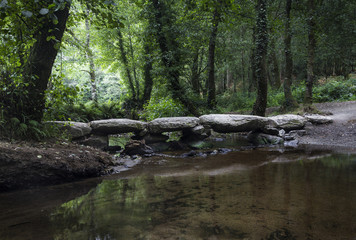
38, 66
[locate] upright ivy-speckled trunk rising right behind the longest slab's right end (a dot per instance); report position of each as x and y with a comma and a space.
260, 105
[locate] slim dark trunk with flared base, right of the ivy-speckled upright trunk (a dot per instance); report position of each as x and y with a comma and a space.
289, 101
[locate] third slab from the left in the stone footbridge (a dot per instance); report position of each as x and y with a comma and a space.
171, 124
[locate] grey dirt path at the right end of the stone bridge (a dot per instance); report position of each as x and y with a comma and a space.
341, 134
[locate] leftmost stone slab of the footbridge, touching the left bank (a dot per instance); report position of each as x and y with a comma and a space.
75, 129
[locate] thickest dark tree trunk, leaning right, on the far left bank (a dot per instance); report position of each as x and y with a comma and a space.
38, 68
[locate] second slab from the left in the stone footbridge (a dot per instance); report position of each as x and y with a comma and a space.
116, 126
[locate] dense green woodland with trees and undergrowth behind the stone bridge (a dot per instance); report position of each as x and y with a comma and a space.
142, 59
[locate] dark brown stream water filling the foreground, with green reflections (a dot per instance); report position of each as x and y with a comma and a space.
239, 195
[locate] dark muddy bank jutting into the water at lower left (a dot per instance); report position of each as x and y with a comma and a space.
24, 165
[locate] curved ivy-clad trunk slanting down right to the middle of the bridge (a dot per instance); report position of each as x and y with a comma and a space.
170, 57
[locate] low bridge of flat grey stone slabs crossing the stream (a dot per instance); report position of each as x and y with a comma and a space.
192, 128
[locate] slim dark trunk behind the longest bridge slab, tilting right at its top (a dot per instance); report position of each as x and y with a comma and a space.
211, 61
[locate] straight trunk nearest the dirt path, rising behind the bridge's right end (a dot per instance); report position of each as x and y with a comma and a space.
308, 99
